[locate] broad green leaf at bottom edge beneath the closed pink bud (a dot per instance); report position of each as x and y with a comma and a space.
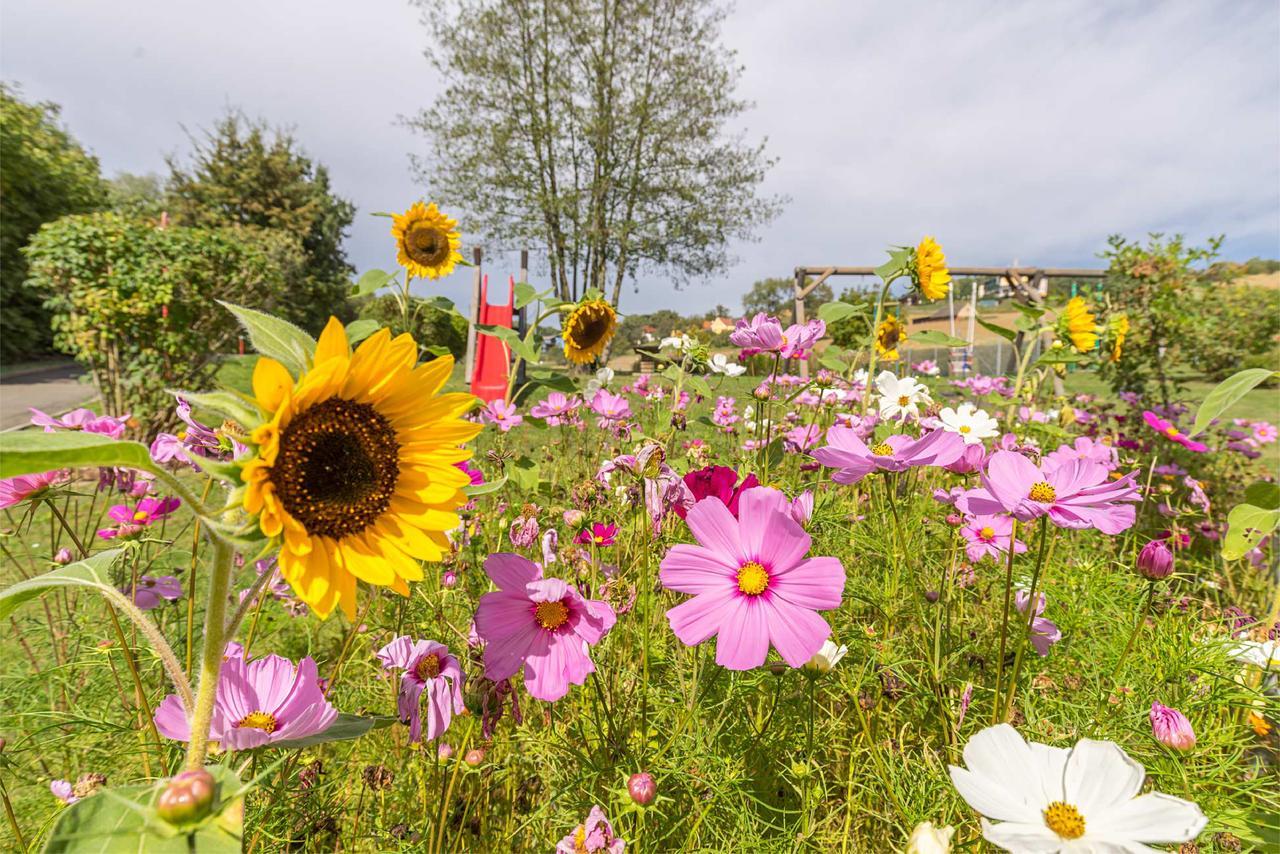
125, 820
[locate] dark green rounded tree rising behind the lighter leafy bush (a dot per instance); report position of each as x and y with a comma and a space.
245, 173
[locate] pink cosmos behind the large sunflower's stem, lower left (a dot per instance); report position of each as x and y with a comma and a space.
259, 702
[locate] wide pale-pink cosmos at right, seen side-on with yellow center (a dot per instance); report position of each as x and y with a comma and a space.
1077, 494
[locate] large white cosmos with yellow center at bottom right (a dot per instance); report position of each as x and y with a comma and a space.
1053, 800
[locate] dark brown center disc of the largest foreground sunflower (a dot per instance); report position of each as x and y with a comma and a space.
337, 468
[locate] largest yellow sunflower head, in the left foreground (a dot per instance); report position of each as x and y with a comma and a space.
355, 469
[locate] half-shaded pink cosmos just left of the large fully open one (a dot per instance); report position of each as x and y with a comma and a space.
545, 625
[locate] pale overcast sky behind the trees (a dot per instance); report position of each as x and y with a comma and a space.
1009, 131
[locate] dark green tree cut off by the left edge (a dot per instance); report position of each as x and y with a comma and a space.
47, 175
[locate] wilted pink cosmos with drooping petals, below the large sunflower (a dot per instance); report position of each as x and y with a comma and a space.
429, 669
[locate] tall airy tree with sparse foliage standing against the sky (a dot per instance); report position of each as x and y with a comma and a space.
596, 129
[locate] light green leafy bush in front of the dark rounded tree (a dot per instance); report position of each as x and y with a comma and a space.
136, 304
